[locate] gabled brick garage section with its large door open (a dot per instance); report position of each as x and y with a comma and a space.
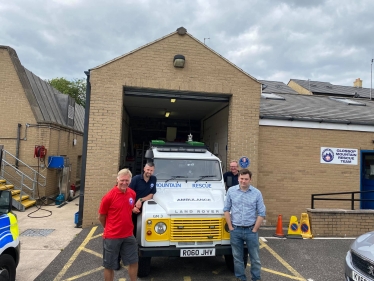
167, 89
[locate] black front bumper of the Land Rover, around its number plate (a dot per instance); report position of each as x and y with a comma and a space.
175, 252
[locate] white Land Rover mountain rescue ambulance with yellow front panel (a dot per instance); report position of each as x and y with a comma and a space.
185, 217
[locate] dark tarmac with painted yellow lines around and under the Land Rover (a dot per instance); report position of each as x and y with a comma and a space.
282, 260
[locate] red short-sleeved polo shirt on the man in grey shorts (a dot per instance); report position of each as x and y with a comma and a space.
117, 206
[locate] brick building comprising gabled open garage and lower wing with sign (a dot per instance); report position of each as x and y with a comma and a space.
282, 133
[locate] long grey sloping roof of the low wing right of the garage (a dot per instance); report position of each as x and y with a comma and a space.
317, 109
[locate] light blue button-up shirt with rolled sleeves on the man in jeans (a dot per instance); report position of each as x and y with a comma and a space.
245, 206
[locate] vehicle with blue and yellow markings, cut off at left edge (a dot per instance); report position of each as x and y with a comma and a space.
9, 238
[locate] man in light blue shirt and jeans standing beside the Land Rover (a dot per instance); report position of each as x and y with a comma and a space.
247, 208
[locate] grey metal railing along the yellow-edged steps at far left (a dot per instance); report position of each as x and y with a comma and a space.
25, 179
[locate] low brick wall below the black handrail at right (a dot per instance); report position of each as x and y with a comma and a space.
340, 223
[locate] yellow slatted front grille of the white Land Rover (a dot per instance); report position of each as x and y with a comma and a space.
195, 230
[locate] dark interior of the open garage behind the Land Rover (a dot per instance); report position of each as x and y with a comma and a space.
150, 114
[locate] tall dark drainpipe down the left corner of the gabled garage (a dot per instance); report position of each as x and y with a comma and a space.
84, 152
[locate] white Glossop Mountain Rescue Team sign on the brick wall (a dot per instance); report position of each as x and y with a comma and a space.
332, 155
